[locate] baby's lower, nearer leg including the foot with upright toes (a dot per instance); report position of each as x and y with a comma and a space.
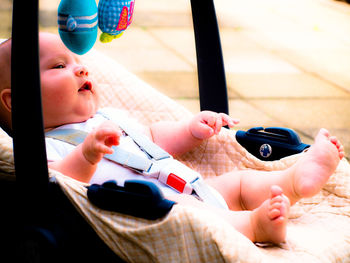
267, 223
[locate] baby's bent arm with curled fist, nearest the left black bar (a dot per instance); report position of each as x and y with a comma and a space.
82, 162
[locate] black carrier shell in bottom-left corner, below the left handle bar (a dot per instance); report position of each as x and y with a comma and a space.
62, 233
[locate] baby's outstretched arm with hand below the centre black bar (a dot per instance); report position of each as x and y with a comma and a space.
180, 137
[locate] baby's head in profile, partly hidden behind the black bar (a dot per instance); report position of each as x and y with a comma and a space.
68, 93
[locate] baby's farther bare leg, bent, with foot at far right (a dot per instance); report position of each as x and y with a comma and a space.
246, 190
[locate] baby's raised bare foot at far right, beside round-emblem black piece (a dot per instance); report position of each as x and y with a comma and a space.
313, 170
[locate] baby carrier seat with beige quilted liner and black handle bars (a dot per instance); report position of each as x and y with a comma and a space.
52, 220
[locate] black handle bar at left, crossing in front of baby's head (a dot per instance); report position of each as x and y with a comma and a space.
26, 106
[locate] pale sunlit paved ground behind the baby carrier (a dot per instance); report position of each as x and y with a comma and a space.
287, 62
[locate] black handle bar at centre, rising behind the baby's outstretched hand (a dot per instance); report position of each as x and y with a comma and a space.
210, 64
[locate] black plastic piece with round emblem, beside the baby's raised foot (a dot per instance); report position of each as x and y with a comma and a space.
271, 143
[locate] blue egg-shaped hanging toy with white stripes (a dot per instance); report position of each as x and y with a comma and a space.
77, 24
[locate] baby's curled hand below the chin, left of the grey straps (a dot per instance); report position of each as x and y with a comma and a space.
100, 140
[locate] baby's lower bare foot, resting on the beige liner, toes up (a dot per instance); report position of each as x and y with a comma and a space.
269, 220
